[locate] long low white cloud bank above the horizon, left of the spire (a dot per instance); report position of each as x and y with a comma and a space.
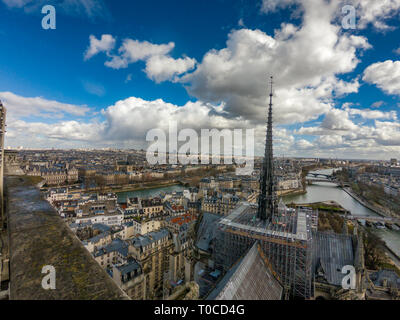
127, 121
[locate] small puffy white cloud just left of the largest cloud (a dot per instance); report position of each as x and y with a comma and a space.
160, 67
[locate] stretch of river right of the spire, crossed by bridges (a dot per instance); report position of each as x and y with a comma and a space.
324, 191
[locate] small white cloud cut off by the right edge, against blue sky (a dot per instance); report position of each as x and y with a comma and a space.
385, 75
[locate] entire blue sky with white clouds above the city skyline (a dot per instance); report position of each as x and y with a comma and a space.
112, 70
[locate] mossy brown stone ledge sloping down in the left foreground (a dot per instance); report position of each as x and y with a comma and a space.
39, 237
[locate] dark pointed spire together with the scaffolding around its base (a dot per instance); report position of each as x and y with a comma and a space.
284, 234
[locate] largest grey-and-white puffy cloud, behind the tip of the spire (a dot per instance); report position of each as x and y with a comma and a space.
305, 60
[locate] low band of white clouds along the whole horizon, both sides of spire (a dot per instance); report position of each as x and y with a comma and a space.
126, 123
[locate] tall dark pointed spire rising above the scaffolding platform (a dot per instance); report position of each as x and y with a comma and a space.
267, 198
